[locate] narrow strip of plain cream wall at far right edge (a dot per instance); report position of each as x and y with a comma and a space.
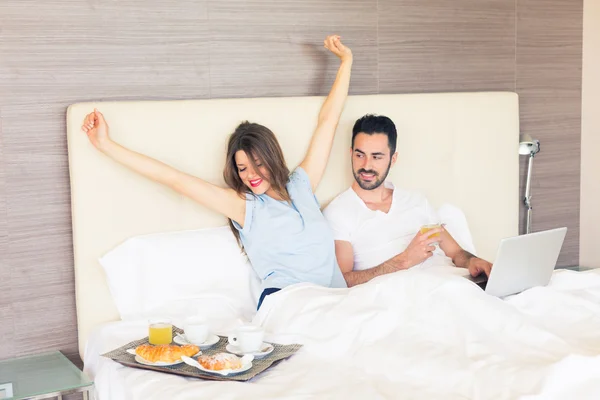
590, 137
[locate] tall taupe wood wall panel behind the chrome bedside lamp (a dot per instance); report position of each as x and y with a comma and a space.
548, 76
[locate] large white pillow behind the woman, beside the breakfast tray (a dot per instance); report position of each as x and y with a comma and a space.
205, 268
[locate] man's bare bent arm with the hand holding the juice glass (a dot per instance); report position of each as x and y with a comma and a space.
419, 249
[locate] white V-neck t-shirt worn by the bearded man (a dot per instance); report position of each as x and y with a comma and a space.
377, 236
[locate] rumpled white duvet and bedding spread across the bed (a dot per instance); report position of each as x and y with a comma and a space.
409, 335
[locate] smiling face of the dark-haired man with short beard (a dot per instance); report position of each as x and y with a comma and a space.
371, 160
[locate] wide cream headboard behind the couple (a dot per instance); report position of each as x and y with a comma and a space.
455, 147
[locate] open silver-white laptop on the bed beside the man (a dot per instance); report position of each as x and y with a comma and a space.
523, 262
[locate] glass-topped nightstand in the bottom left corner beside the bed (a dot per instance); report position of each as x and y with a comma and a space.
42, 376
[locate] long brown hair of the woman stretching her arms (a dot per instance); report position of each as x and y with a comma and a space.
259, 143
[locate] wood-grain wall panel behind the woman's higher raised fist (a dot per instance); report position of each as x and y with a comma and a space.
274, 48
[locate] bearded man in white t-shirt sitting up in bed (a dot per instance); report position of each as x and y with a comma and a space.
376, 226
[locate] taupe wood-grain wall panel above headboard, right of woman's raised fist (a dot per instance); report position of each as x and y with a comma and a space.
429, 46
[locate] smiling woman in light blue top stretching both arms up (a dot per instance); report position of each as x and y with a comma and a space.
274, 214
